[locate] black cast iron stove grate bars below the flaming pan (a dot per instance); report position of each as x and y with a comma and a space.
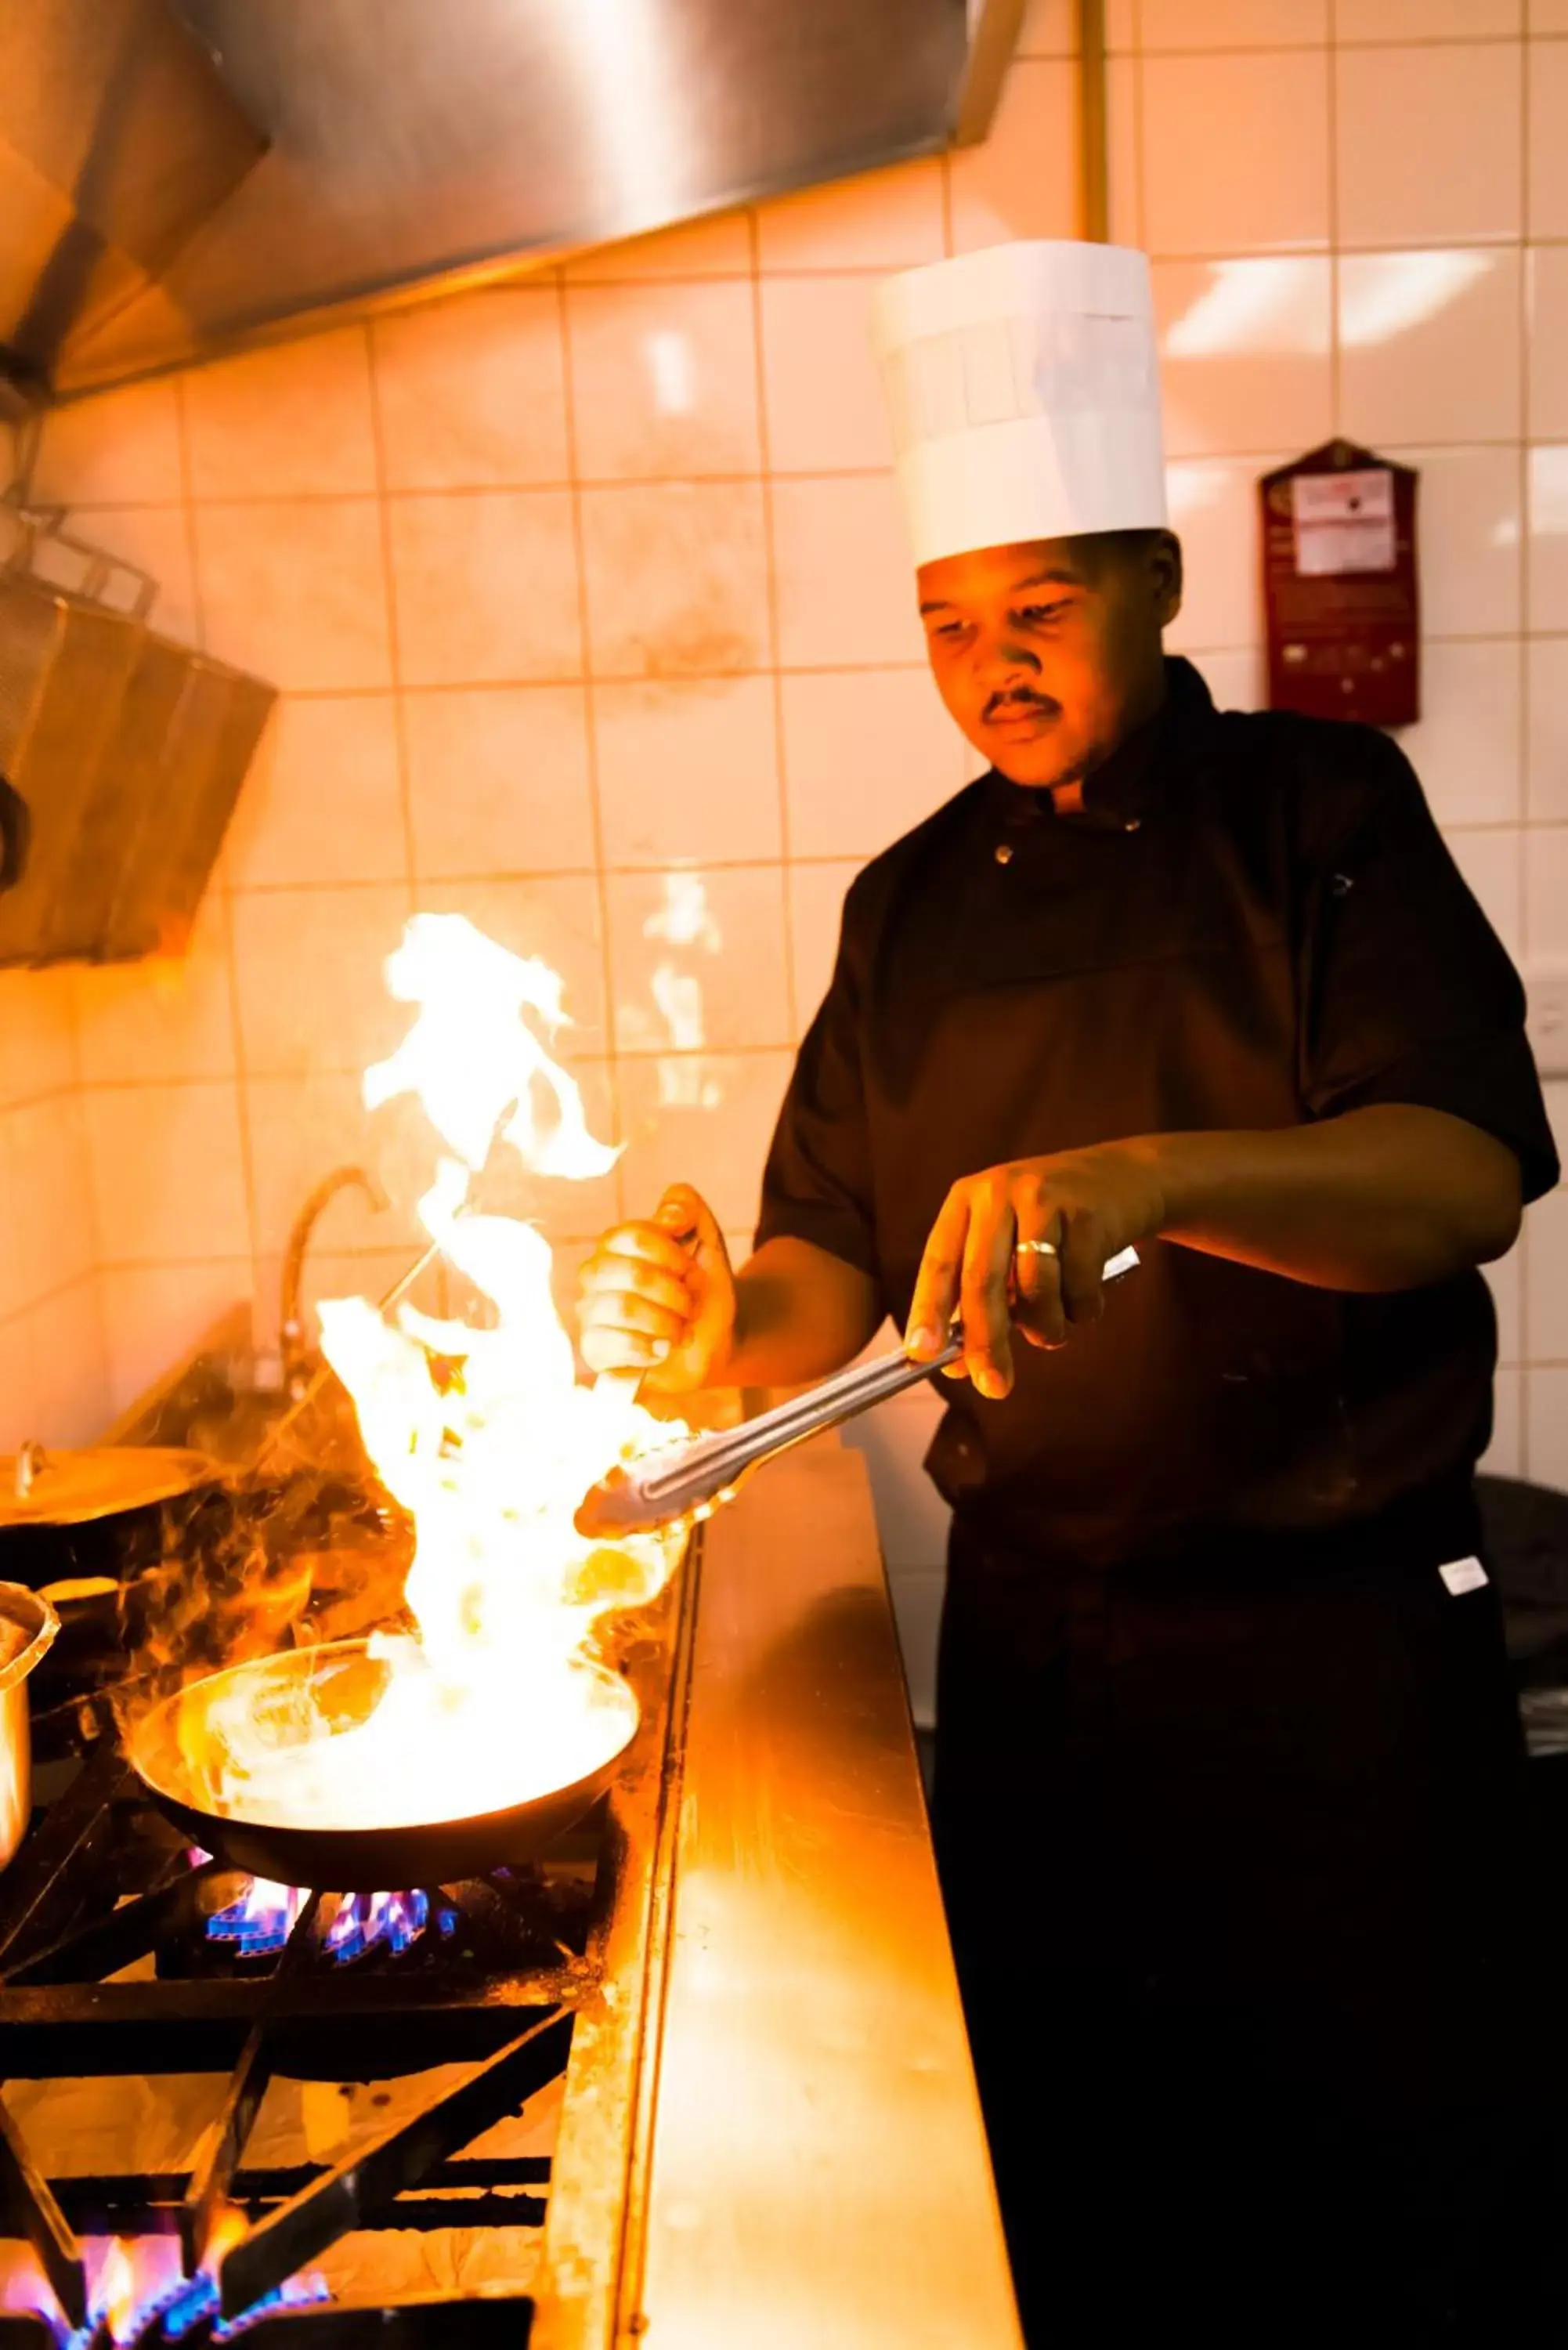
107, 1968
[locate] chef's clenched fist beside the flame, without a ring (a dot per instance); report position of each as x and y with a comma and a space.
662, 1298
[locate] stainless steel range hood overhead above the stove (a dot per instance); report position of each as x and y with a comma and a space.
413, 142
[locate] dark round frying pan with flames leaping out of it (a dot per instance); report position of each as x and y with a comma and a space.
344, 1681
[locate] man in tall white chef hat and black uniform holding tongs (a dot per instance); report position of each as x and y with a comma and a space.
1231, 1785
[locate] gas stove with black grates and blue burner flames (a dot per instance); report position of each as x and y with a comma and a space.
239, 2109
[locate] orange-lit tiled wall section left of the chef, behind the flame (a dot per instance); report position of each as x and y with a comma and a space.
591, 617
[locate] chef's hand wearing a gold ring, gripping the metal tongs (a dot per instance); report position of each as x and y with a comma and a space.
1090, 1204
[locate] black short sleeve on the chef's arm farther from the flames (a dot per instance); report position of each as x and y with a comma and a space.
1407, 991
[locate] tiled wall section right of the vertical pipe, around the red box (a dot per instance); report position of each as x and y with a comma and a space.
1353, 215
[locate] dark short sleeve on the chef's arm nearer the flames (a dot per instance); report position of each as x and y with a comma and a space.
817, 1183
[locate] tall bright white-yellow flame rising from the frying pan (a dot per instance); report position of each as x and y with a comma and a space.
485, 1437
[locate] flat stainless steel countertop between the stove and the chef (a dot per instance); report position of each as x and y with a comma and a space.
817, 2170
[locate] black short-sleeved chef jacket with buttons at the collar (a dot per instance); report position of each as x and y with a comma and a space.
1252, 925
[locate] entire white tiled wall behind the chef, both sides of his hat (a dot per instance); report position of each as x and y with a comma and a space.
594, 619
